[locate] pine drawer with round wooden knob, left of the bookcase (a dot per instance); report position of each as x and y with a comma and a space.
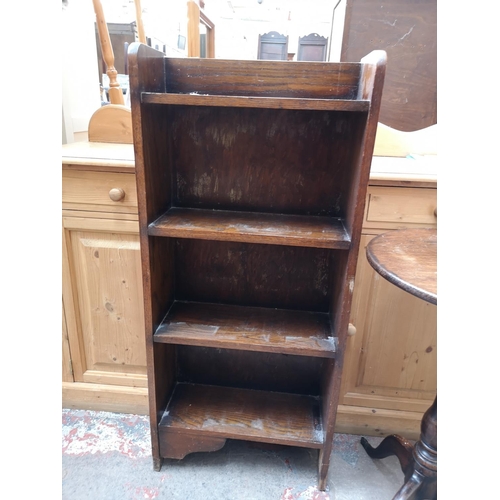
99, 191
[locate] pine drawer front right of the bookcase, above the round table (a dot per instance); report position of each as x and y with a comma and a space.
388, 207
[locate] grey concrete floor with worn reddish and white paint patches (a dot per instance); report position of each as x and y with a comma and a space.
106, 456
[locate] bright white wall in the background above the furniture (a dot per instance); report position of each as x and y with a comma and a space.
236, 37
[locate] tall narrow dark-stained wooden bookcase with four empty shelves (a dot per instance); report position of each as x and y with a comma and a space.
251, 182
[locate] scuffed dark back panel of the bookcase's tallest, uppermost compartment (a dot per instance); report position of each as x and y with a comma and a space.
263, 160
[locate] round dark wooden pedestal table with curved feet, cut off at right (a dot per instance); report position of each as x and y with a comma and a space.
407, 258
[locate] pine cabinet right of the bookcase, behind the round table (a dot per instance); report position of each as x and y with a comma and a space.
390, 371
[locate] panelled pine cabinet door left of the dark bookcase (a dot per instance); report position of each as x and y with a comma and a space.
102, 290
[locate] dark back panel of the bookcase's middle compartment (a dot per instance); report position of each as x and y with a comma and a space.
253, 274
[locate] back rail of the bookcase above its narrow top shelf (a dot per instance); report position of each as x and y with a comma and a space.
285, 79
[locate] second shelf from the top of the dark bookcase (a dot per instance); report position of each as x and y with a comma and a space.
276, 229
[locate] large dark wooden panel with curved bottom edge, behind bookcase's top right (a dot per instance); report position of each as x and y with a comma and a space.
407, 31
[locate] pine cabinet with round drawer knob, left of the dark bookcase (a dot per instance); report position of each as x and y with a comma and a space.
104, 360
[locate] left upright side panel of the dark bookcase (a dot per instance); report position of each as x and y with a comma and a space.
146, 70
